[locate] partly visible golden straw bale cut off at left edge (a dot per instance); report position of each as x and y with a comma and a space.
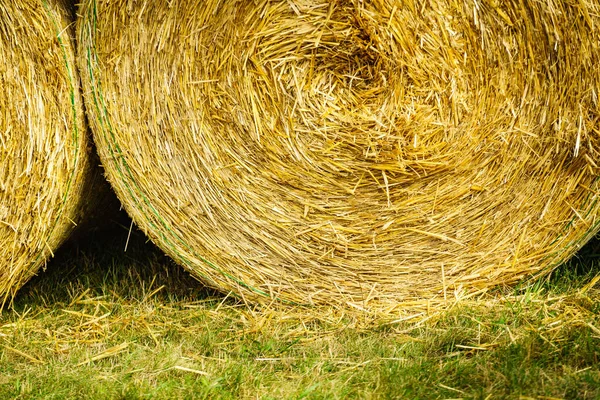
44, 162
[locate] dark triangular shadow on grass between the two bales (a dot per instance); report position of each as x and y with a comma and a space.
118, 261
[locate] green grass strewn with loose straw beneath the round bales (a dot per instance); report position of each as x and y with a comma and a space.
104, 323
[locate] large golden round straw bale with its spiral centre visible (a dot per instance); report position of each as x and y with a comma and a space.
371, 153
